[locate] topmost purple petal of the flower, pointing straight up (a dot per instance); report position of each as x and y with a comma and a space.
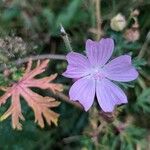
99, 52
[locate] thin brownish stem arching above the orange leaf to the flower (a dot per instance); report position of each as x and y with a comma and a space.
37, 57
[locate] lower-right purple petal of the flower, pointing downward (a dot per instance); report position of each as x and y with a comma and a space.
109, 95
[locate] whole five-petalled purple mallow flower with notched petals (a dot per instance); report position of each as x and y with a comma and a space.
95, 74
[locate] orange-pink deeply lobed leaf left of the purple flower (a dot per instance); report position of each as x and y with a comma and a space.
38, 103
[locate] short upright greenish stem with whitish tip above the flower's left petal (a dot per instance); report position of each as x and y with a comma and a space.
65, 38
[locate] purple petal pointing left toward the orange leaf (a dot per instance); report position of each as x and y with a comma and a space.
78, 65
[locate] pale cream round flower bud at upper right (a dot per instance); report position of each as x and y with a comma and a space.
118, 23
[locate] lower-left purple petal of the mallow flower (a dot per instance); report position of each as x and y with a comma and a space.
83, 90
